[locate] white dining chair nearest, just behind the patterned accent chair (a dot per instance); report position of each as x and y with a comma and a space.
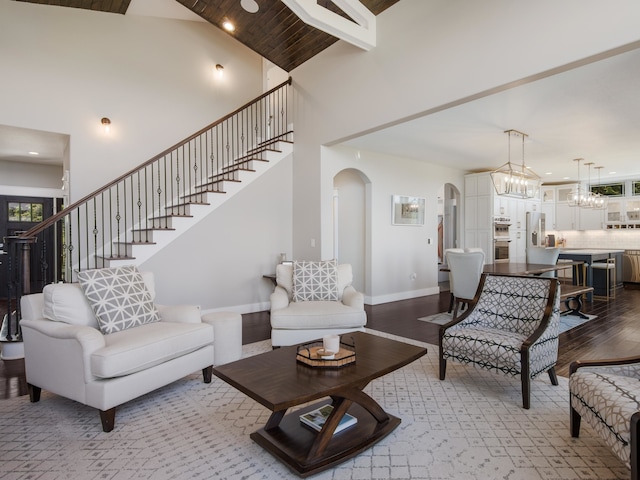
465, 269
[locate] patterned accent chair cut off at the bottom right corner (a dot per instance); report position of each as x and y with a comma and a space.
606, 393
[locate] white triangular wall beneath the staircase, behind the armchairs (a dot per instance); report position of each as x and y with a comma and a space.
220, 262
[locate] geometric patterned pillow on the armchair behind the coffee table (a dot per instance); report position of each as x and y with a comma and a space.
315, 281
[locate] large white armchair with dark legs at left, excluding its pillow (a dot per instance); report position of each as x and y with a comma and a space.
67, 354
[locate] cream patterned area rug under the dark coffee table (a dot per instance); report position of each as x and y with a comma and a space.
469, 426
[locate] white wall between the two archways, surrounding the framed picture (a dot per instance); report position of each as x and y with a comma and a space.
397, 251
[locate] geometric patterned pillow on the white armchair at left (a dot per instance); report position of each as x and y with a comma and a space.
119, 297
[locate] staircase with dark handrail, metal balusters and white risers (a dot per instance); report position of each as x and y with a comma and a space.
138, 214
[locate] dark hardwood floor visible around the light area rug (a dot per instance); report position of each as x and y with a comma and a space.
615, 333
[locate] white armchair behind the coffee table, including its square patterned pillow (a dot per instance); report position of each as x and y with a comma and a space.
313, 299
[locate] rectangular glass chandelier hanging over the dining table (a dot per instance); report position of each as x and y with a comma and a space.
514, 181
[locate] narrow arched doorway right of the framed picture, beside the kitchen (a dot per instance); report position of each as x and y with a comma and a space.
448, 223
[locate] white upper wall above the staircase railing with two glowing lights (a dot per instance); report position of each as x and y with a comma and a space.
63, 69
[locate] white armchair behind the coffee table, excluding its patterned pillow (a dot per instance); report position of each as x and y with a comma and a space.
295, 322
